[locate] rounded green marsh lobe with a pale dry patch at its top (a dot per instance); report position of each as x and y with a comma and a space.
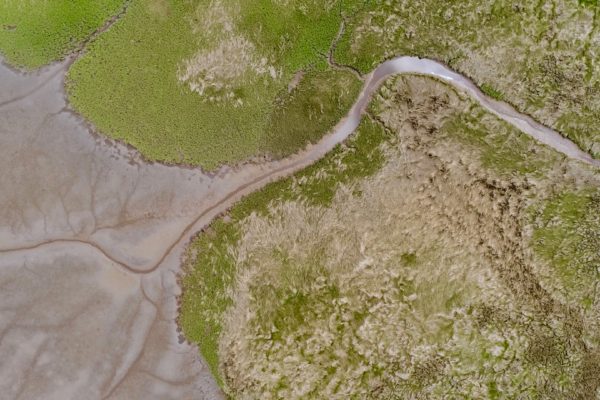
212, 82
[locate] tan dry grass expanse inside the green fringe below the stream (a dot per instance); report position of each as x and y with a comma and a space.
417, 282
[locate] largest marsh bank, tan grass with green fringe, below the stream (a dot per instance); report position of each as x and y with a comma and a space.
424, 258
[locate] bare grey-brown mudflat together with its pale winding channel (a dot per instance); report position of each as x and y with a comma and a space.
91, 240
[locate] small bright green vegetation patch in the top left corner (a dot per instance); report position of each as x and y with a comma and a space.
34, 33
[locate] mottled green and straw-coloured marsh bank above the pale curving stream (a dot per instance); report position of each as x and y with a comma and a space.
539, 55
